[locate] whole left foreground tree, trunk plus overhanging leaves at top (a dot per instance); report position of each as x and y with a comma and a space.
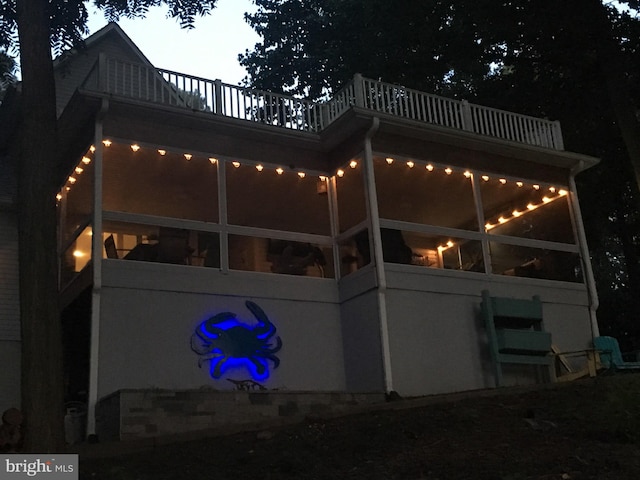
39, 25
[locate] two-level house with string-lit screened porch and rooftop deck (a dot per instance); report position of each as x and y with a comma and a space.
211, 233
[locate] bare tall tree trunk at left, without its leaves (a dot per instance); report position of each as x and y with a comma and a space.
42, 385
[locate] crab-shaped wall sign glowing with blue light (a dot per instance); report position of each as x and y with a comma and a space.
226, 343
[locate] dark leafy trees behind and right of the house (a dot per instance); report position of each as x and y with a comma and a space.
577, 61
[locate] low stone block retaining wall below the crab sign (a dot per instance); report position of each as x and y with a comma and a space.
134, 414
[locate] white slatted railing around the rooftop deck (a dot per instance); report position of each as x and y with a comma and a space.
147, 83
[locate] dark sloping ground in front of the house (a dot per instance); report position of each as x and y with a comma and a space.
586, 429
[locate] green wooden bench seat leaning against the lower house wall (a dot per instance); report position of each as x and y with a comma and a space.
515, 333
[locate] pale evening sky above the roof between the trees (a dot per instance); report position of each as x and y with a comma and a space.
210, 50
